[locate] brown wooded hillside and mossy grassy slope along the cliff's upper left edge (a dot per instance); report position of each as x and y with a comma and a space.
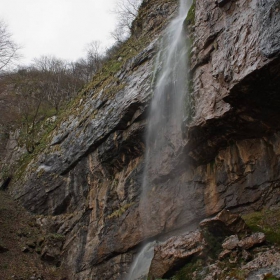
40, 93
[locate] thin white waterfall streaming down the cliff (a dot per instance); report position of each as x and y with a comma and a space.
163, 135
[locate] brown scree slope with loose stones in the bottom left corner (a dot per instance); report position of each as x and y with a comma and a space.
25, 251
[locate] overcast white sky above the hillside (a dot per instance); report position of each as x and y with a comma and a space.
57, 27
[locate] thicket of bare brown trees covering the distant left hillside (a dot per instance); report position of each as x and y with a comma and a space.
32, 94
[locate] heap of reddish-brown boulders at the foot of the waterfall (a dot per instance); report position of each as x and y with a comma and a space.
193, 255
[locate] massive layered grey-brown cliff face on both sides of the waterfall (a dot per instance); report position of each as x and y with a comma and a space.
86, 184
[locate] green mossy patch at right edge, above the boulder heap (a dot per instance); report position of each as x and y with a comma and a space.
266, 221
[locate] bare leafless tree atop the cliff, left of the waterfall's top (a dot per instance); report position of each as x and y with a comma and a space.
126, 11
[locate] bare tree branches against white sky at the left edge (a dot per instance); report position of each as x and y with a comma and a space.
8, 49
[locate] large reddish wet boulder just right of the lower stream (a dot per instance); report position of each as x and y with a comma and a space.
175, 251
